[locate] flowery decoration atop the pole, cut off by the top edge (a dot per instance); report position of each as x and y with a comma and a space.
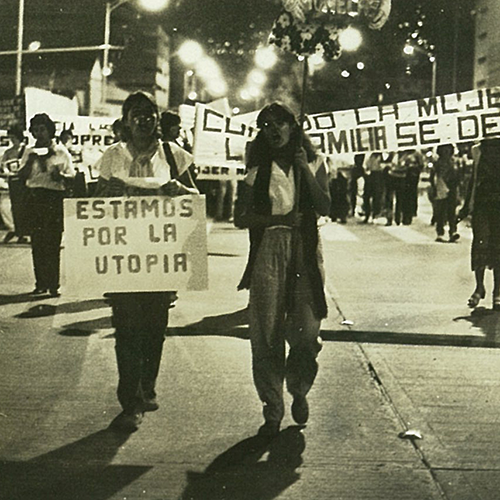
307, 27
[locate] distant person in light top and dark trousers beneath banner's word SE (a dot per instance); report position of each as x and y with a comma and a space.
395, 181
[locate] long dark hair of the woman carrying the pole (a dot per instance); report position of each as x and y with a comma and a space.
259, 152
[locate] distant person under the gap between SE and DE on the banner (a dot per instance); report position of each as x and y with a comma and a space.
444, 179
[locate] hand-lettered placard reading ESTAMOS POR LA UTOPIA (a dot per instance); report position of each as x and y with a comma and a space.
134, 244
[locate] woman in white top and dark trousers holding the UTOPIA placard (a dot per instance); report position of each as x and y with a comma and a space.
140, 166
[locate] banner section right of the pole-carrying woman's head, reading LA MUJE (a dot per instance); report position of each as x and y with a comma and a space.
423, 123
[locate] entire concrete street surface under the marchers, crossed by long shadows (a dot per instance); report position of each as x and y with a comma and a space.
402, 352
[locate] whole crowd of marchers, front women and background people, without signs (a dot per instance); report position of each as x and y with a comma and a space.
287, 188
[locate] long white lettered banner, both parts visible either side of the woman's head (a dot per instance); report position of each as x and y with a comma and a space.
422, 123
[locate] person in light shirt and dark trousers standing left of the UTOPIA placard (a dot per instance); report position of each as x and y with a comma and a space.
46, 168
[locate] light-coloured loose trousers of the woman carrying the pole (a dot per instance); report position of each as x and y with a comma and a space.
271, 325
